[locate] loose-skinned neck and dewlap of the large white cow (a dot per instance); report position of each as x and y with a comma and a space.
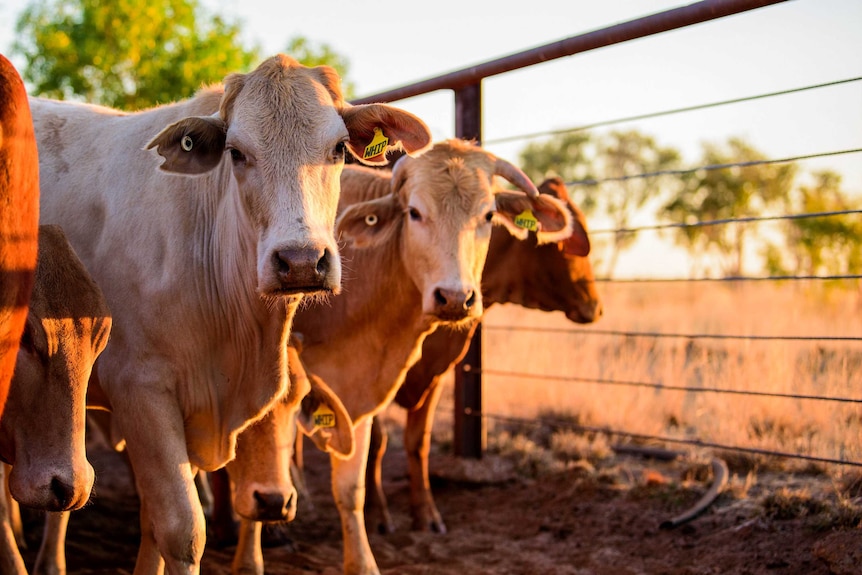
247, 335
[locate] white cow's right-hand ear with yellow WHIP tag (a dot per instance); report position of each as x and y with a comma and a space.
377, 128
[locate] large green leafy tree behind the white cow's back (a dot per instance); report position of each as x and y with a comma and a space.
125, 53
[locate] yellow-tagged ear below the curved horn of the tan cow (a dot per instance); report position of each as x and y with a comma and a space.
548, 217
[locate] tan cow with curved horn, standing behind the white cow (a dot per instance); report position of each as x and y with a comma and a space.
418, 238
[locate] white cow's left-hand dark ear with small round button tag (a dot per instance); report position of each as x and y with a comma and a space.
191, 146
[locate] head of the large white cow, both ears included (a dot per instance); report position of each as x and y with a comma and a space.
284, 130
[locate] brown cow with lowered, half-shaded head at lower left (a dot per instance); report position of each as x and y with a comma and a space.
68, 325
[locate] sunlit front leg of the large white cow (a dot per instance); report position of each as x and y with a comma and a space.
173, 529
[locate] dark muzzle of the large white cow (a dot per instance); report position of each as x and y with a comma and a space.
306, 270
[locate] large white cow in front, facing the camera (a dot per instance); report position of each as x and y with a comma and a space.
204, 248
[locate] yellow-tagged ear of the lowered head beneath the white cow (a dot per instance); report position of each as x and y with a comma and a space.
325, 420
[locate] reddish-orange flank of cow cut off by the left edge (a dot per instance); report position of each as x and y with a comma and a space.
19, 217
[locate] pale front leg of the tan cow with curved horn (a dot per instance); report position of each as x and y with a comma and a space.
348, 488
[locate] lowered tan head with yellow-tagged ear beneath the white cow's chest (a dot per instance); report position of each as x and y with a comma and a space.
264, 489
